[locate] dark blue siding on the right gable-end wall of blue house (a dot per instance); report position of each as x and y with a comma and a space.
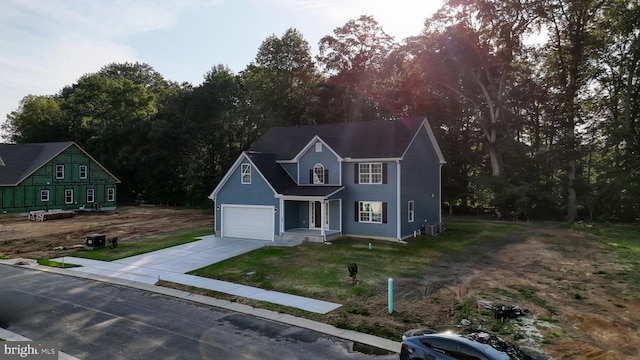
421, 183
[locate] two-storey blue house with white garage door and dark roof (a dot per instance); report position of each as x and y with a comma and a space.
374, 179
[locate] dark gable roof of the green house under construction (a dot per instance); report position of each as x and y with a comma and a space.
22, 160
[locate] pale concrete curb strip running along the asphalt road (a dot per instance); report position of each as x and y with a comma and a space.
365, 339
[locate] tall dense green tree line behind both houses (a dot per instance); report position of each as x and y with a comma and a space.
535, 104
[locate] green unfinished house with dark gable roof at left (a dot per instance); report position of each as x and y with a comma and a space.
52, 176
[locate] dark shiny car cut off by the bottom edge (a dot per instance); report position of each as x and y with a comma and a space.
453, 342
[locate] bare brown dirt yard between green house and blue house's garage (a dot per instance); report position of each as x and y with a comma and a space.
20, 238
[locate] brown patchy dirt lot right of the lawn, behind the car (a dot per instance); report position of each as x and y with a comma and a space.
562, 276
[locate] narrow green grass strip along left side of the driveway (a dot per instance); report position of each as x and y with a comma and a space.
131, 248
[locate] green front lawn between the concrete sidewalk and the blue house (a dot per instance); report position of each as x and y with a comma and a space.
316, 269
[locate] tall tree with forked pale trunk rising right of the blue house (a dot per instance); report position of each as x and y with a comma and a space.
476, 57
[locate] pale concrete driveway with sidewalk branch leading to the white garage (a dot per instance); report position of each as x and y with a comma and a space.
173, 263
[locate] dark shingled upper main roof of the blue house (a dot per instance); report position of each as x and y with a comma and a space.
357, 140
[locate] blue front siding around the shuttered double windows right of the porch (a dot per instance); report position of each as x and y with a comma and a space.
369, 192
